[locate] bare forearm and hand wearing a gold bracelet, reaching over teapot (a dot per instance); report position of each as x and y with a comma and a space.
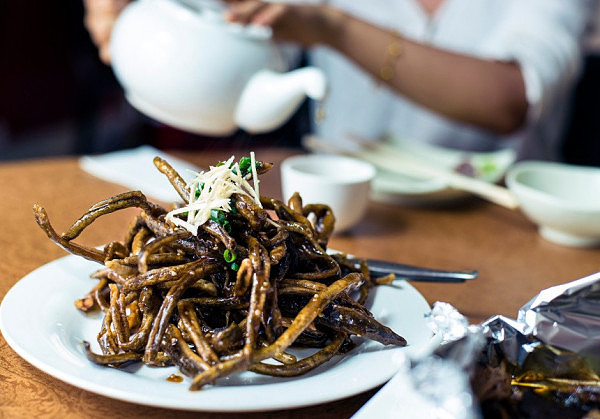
488, 94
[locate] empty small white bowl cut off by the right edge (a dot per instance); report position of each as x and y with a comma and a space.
564, 200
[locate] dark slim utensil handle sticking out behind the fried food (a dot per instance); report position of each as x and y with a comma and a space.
416, 273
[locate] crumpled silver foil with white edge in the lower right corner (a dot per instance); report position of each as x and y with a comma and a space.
438, 382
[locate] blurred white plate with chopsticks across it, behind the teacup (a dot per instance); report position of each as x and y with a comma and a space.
395, 188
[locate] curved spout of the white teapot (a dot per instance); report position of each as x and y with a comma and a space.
269, 99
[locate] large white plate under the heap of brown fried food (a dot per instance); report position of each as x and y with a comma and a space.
39, 321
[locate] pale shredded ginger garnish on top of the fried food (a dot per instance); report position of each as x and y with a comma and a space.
216, 187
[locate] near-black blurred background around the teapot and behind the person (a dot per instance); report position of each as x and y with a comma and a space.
58, 98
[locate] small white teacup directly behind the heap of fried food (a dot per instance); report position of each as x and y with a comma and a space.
341, 182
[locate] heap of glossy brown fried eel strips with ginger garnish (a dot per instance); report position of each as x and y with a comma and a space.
223, 283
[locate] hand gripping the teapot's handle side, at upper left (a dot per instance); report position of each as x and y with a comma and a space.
100, 16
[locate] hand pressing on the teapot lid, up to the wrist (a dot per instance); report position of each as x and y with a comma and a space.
305, 24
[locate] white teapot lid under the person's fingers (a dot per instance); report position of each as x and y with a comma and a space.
213, 11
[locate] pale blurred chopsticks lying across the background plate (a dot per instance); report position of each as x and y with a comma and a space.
388, 158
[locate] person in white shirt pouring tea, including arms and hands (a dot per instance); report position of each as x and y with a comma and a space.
472, 75
